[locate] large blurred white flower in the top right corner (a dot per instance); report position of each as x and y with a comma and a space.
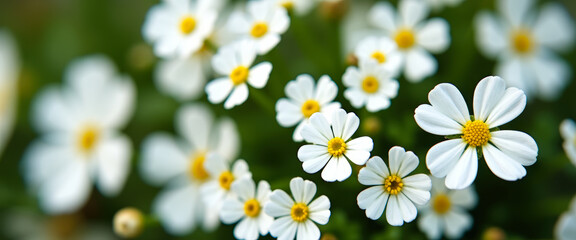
525, 44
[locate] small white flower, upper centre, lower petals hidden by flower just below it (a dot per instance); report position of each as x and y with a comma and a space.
382, 50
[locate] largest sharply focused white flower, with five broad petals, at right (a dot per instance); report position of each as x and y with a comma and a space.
505, 152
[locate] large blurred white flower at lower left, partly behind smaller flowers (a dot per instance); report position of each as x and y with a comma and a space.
179, 164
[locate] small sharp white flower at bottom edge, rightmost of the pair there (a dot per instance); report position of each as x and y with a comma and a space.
295, 217
